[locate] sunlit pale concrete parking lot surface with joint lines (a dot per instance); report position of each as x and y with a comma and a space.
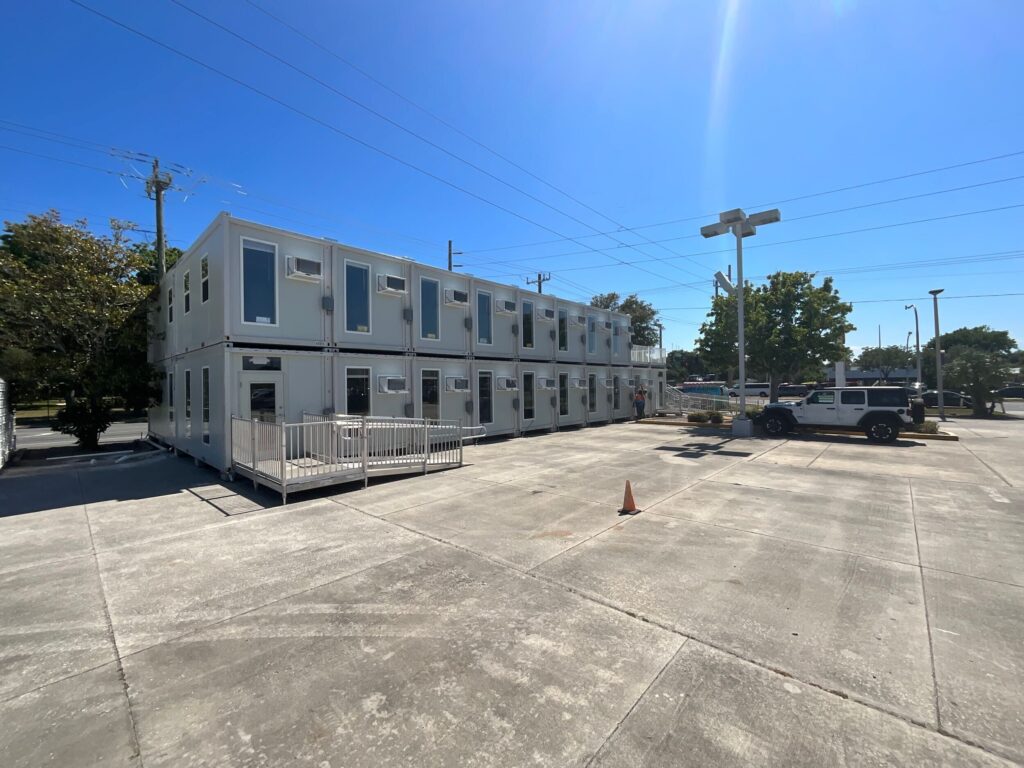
814, 602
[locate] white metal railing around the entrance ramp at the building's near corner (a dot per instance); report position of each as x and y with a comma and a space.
338, 448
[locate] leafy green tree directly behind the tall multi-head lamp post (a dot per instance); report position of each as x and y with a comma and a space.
792, 326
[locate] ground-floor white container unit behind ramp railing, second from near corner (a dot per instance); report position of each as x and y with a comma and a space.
373, 386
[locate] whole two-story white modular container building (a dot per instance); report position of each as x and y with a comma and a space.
259, 323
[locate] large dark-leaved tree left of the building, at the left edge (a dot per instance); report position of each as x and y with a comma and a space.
74, 319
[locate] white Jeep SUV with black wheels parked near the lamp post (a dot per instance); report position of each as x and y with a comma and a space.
880, 412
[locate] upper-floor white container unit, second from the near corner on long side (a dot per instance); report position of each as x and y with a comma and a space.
372, 302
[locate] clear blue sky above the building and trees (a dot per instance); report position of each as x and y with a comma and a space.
646, 112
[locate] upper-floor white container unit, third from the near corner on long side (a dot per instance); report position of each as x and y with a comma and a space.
443, 308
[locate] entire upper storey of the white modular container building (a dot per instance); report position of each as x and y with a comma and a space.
250, 284
